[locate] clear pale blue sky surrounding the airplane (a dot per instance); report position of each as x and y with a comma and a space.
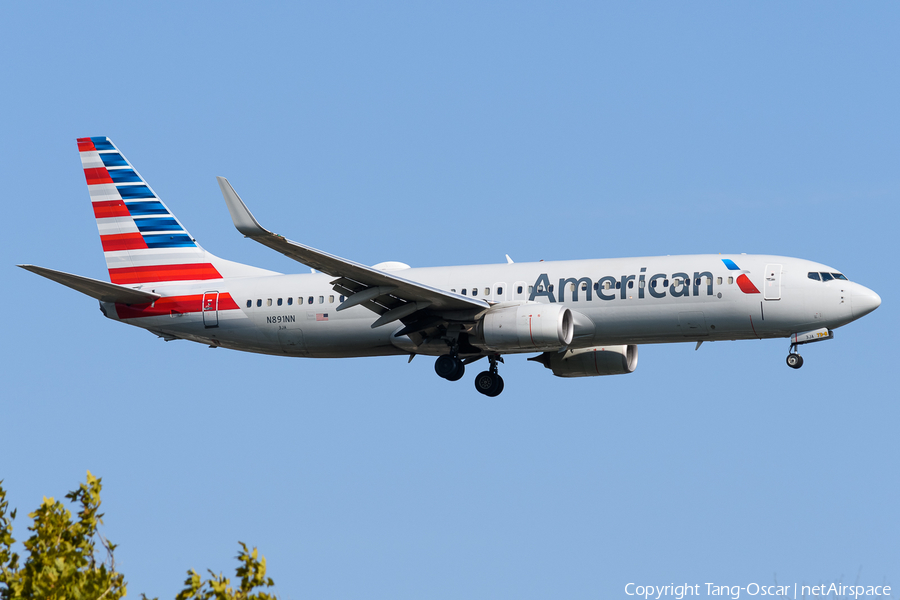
453, 133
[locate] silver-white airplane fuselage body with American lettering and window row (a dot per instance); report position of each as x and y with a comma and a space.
615, 301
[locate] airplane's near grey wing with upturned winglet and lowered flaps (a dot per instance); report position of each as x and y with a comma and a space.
392, 297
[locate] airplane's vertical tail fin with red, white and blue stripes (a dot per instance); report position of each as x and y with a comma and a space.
142, 240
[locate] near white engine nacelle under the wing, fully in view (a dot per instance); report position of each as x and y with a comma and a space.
526, 328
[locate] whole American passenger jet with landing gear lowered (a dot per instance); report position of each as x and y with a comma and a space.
582, 318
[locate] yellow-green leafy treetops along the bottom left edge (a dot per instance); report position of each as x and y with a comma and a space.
62, 561
